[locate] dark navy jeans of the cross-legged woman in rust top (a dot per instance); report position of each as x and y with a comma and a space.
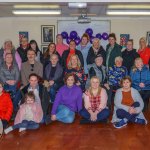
121, 114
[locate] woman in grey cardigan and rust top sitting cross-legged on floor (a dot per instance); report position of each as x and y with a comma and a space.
128, 105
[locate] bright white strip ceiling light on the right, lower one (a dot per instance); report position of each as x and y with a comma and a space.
127, 12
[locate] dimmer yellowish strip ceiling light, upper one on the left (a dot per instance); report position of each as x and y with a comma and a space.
36, 6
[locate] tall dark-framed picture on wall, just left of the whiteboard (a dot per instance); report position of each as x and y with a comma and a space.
47, 34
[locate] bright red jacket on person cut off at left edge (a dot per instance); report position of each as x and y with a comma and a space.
6, 106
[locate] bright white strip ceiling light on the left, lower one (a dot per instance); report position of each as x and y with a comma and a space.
36, 12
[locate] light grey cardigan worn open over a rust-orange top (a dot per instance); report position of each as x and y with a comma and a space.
118, 105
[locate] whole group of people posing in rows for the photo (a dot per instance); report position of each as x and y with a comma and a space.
65, 76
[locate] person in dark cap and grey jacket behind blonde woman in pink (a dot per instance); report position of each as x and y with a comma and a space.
97, 69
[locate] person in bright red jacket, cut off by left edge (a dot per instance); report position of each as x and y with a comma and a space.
6, 108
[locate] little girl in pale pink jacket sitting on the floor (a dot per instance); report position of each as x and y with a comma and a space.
29, 115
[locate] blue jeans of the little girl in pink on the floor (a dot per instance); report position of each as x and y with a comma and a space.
26, 124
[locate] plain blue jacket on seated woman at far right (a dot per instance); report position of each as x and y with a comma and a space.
142, 76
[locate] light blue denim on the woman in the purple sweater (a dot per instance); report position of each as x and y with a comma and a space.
64, 114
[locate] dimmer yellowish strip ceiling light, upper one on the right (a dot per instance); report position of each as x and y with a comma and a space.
128, 6
